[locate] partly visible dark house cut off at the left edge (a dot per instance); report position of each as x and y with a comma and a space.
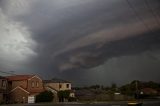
3, 89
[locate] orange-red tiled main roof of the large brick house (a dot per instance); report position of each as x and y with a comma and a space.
19, 77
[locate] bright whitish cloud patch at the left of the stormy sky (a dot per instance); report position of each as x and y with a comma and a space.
15, 43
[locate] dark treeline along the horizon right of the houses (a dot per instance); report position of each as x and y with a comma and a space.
129, 89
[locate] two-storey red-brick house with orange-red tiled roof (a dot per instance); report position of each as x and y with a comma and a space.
21, 87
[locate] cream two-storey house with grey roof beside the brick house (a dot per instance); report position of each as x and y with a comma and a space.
56, 85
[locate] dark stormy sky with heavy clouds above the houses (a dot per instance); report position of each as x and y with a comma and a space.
84, 41
